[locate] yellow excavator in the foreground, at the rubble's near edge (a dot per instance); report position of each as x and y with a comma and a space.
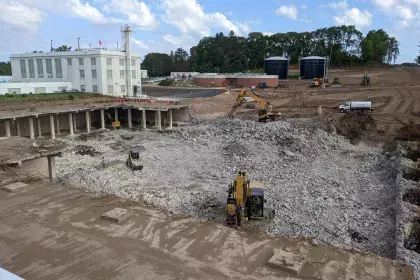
246, 201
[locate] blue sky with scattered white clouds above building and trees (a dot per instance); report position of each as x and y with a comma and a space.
164, 25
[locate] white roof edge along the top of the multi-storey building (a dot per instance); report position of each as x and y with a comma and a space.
93, 52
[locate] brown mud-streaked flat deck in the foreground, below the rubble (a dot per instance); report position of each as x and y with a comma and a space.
50, 232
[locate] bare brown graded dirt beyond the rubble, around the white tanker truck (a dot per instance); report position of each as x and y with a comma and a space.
395, 94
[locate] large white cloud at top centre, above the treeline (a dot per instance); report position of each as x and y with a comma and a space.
189, 17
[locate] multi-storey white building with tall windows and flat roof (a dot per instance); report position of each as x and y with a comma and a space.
96, 70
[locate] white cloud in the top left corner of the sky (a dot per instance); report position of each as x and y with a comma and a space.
20, 16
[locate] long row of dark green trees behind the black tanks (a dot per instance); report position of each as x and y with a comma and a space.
344, 45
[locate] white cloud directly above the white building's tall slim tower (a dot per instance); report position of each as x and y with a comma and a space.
138, 13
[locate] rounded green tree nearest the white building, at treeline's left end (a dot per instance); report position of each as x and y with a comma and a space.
158, 64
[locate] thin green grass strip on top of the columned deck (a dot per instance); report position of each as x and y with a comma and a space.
49, 96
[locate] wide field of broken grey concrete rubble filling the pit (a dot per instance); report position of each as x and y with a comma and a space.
319, 184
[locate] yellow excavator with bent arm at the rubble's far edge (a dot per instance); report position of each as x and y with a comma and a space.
266, 109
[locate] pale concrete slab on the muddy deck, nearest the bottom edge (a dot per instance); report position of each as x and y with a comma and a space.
290, 259
